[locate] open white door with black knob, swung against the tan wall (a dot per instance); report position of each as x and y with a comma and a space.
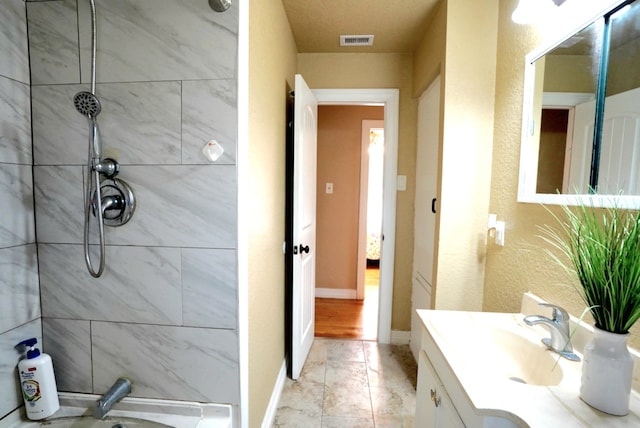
304, 224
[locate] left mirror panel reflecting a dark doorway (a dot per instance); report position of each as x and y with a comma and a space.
568, 75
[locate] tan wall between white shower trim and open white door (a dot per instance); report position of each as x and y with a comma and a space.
270, 70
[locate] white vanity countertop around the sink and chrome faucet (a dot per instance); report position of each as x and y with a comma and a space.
456, 344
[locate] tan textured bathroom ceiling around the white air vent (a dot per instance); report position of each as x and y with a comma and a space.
398, 25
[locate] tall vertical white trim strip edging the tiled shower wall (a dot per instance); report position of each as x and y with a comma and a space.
243, 212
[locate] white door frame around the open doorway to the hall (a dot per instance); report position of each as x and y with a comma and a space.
389, 98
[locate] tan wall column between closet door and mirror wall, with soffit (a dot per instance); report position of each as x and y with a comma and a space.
460, 45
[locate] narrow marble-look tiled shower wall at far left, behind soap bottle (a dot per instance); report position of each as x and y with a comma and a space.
19, 296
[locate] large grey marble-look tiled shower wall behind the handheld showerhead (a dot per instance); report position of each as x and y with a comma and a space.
165, 311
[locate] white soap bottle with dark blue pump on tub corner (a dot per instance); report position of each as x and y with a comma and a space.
38, 382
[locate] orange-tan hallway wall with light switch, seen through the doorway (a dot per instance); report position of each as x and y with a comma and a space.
339, 149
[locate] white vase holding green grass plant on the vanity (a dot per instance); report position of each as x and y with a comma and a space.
607, 370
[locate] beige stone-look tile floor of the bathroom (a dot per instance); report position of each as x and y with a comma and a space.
351, 384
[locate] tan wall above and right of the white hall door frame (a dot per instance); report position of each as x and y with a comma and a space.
381, 71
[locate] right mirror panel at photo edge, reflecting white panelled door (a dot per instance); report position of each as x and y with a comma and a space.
619, 164
